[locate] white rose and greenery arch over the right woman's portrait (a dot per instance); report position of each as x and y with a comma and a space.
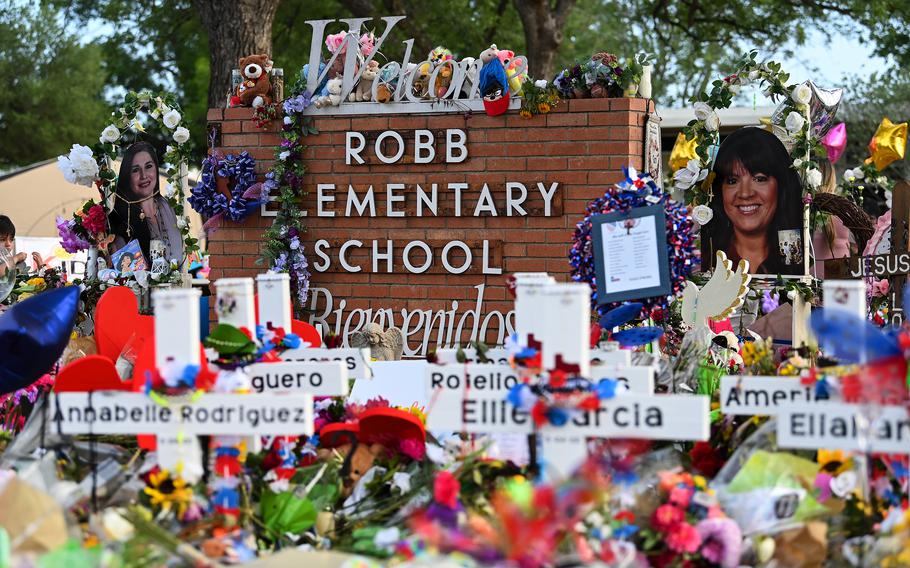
796, 132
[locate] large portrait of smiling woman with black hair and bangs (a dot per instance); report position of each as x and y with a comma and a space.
757, 205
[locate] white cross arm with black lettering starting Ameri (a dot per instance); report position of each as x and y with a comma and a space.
748, 395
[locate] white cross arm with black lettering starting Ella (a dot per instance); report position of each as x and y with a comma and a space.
839, 426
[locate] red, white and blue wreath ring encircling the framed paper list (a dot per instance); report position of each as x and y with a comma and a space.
635, 191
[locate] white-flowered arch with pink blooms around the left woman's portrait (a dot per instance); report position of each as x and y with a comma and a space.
94, 166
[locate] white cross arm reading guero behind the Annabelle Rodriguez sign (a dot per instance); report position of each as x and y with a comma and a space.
319, 379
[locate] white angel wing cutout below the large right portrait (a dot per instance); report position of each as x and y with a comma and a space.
719, 297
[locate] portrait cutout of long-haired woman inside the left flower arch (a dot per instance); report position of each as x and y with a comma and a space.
140, 212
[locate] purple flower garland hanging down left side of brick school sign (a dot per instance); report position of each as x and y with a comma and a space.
283, 250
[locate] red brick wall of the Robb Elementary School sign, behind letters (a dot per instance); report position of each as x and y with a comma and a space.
582, 146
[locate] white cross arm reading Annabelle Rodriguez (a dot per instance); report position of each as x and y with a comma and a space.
118, 412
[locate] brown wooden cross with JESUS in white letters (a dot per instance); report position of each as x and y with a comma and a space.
895, 266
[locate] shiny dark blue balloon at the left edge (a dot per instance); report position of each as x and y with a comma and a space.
33, 335
